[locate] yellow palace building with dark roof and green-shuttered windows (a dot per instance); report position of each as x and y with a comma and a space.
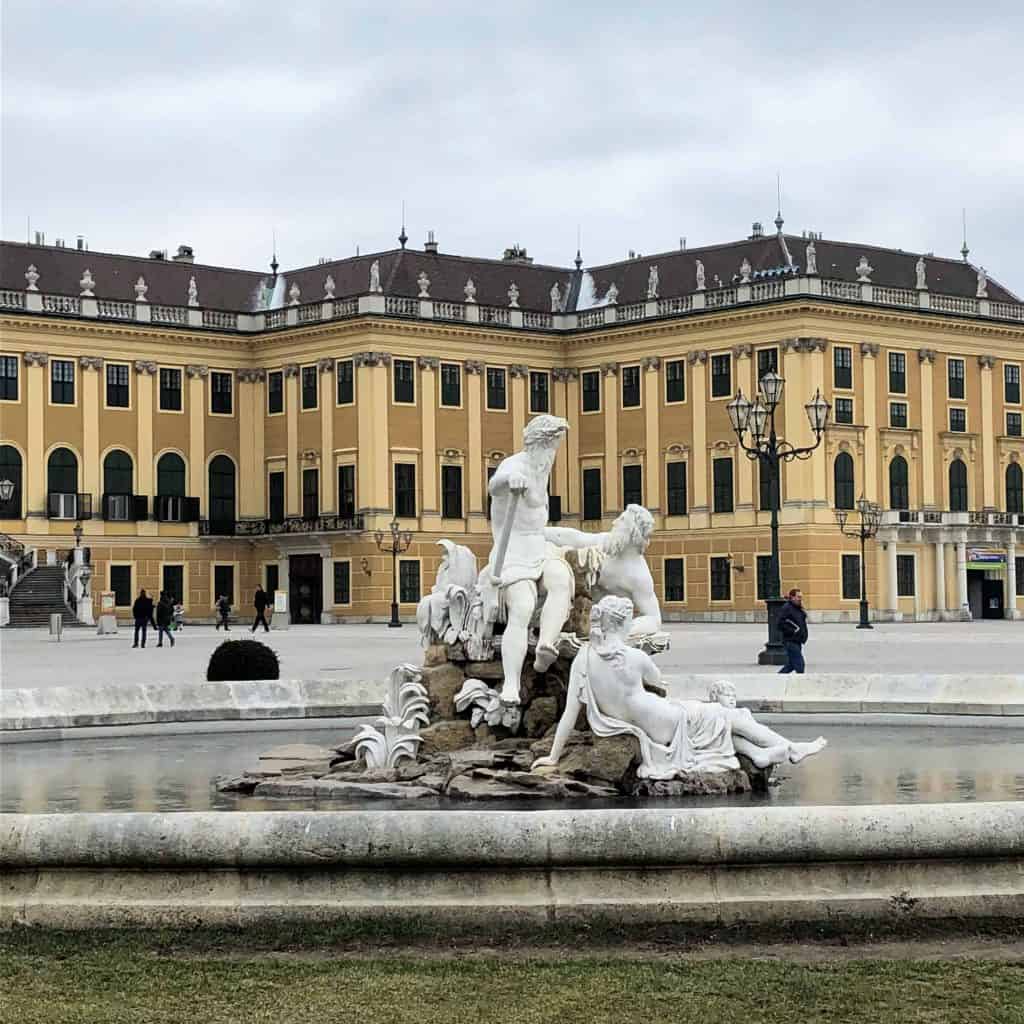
212, 430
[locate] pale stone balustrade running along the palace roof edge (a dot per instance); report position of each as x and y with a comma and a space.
424, 309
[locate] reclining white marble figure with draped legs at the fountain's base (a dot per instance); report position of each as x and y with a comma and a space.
675, 737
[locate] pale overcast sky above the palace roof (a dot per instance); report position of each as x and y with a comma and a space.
217, 122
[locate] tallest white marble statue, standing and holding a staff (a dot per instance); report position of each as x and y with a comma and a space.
524, 567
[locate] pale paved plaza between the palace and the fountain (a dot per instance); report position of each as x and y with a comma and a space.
31, 659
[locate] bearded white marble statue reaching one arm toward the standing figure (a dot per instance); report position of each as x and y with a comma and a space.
616, 565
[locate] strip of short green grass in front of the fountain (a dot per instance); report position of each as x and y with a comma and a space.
98, 978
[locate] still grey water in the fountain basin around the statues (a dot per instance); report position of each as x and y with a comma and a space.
864, 764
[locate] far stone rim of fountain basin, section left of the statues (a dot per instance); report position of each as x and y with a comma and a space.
63, 708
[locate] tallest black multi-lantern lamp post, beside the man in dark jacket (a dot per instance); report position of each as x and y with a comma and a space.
754, 424
